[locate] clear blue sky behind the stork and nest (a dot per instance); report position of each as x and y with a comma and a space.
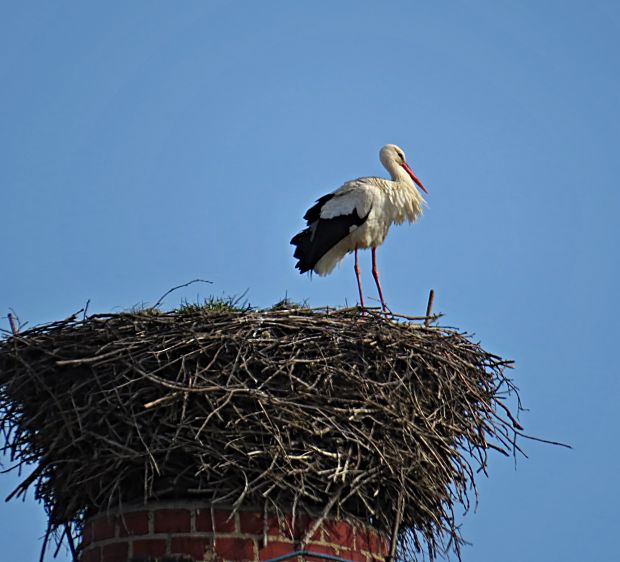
144, 144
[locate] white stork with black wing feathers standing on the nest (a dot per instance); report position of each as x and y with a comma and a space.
358, 215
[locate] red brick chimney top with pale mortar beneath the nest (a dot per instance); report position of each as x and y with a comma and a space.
189, 531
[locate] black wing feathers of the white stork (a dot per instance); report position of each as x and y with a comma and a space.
321, 235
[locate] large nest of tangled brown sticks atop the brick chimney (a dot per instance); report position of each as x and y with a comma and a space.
334, 413
